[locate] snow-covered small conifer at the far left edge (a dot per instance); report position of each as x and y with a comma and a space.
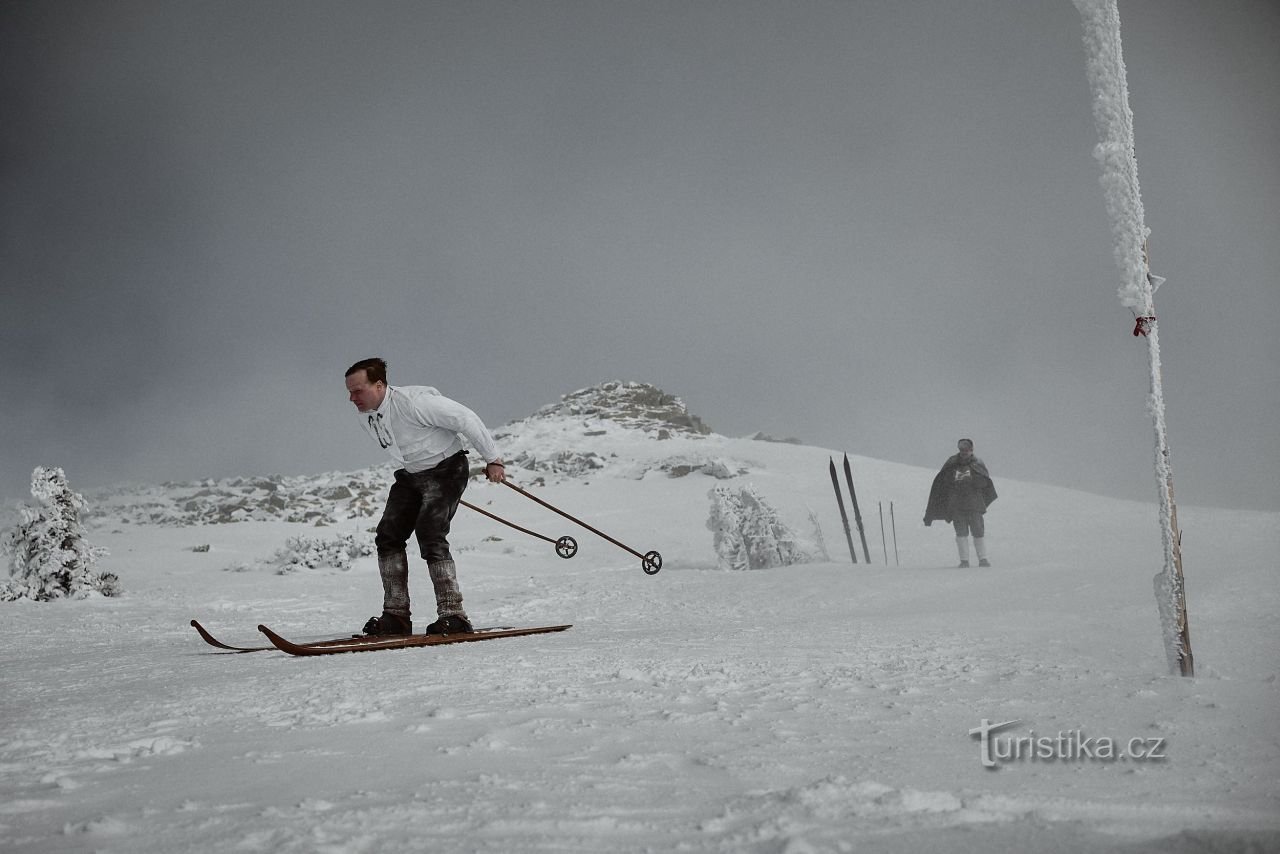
49, 558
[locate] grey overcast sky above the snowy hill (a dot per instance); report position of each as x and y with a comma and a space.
875, 226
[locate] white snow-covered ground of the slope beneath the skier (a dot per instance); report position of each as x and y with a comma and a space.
808, 709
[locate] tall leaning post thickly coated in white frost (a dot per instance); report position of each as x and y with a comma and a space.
1117, 156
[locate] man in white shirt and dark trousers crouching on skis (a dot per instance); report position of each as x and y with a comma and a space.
423, 432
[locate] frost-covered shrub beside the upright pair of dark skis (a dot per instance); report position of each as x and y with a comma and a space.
749, 535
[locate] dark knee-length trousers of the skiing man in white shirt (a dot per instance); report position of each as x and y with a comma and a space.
424, 504
